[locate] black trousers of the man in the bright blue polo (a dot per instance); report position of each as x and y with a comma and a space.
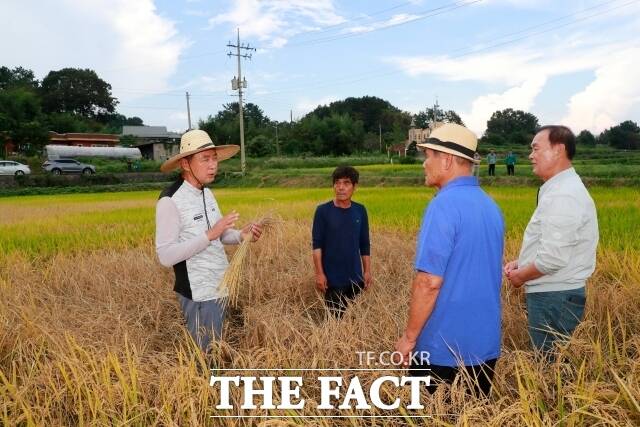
481, 375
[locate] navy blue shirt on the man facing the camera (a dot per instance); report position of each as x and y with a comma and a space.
343, 236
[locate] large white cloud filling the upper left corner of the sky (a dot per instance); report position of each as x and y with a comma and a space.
127, 43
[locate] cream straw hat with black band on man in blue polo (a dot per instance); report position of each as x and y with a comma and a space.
453, 139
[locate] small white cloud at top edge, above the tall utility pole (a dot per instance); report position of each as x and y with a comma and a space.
273, 22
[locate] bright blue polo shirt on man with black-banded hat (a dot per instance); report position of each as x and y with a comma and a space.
461, 240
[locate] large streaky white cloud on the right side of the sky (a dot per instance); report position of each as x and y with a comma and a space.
524, 70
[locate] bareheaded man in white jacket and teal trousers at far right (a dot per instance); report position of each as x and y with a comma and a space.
558, 251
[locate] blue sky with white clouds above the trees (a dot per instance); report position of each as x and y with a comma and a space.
575, 62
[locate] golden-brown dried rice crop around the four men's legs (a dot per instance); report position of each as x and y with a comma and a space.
97, 339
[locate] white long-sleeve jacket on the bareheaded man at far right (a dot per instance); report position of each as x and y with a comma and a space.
562, 236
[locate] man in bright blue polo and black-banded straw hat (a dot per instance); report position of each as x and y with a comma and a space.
454, 311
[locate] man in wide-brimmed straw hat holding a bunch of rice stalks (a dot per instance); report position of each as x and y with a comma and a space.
191, 232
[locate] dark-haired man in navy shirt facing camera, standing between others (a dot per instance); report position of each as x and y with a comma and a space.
341, 247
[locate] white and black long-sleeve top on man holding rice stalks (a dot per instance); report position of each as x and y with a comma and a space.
182, 242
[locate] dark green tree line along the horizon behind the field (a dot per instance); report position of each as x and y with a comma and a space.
77, 100
